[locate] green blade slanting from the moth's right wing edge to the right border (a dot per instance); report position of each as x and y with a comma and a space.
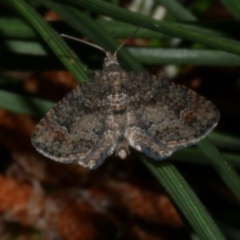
226, 172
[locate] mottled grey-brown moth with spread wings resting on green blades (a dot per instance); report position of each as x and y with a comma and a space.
116, 109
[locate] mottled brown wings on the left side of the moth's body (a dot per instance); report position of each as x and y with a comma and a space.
74, 129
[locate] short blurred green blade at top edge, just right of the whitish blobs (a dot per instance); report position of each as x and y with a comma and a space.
177, 10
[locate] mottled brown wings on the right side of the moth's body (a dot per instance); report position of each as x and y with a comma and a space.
167, 116
